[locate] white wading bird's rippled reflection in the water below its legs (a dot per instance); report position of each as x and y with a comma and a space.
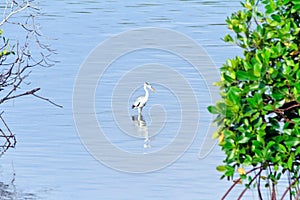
142, 129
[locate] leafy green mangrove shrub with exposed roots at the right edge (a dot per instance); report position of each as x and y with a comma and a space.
258, 116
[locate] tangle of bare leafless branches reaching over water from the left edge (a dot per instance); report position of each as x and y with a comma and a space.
18, 58
